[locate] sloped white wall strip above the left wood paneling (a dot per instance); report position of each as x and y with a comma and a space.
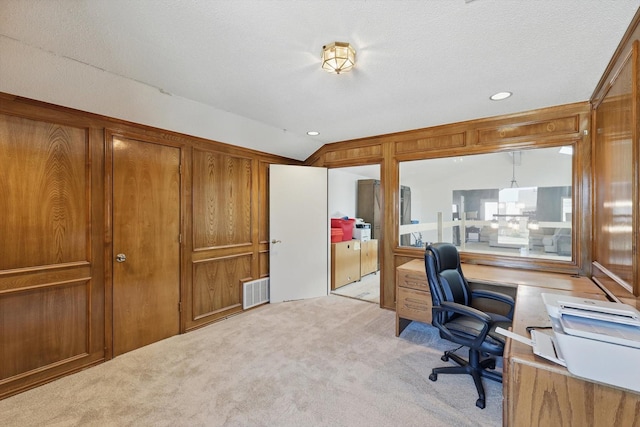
34, 73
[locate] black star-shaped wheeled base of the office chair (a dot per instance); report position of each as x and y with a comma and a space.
475, 366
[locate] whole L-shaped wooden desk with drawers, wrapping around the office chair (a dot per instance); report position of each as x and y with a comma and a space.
536, 392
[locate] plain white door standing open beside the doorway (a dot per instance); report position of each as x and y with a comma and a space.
299, 232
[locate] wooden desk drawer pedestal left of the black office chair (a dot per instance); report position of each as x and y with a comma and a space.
413, 299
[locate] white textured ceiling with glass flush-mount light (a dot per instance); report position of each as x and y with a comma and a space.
419, 63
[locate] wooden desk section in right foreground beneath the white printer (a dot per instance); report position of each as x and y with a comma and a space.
537, 392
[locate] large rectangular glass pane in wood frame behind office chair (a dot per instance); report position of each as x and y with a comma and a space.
516, 203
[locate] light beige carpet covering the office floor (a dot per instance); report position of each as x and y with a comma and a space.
329, 361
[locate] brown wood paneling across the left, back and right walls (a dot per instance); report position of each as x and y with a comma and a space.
55, 255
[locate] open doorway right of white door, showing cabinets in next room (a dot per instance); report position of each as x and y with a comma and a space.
355, 192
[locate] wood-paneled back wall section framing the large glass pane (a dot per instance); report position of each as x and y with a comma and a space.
556, 126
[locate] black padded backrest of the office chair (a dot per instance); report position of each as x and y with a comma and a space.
444, 274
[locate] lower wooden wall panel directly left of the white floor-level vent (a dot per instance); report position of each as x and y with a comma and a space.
217, 285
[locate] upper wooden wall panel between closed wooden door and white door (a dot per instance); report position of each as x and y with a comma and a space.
221, 200
